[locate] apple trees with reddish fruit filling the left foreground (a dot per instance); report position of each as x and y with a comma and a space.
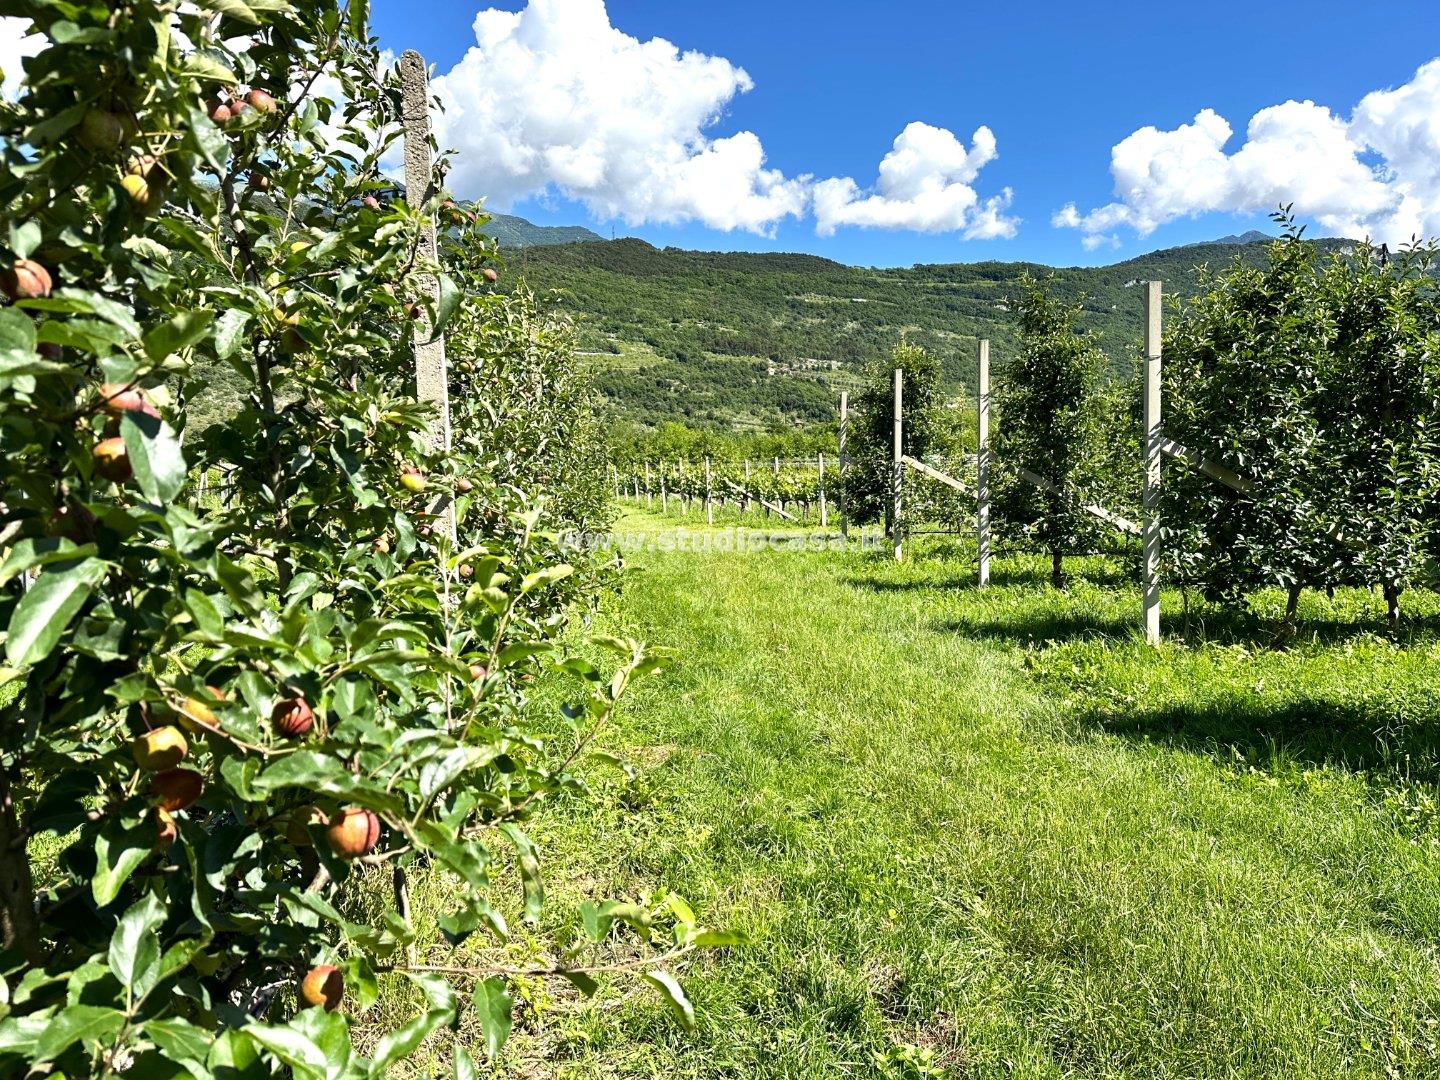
248, 683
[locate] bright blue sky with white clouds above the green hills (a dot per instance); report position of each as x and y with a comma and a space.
1058, 84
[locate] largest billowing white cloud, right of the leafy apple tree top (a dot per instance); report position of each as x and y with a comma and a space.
557, 97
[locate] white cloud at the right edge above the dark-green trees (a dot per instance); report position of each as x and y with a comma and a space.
1295, 153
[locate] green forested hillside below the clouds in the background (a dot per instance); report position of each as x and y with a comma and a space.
757, 339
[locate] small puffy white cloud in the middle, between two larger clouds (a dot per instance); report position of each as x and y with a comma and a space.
925, 185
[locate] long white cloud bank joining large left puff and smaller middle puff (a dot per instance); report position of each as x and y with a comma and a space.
555, 99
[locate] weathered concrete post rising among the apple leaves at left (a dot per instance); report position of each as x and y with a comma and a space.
431, 378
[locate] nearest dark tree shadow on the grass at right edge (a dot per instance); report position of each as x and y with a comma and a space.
1294, 734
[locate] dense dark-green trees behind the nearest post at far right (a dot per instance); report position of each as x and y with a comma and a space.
1317, 381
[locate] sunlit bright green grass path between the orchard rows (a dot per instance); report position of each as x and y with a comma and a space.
948, 873
